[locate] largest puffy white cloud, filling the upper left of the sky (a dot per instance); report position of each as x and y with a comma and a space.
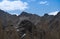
13, 5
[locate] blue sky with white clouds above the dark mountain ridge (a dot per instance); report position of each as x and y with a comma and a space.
39, 7
